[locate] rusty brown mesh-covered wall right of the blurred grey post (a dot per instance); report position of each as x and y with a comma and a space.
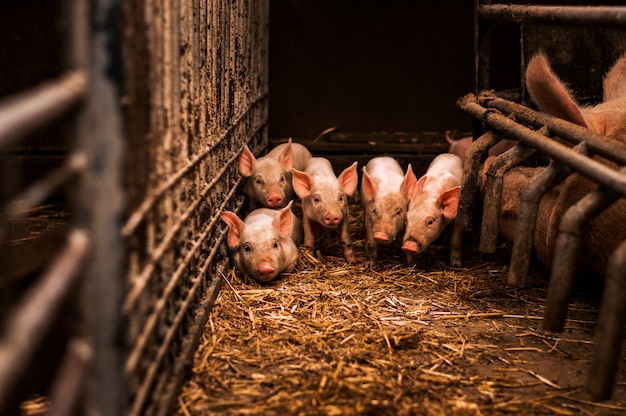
196, 93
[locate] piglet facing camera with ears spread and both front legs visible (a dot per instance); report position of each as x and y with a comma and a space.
325, 201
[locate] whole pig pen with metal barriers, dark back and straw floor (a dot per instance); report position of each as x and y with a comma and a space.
121, 124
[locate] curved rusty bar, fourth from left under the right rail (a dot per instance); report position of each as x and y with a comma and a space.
567, 248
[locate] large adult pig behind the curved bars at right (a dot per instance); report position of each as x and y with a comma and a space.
605, 232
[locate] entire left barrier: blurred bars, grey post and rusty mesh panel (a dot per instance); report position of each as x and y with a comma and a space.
156, 100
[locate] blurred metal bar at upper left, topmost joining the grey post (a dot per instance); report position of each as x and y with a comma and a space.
22, 114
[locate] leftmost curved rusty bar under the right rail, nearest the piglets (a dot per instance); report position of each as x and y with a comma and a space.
469, 181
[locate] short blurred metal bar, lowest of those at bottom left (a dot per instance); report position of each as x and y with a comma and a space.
66, 391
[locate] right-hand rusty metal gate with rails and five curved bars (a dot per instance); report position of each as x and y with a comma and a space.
565, 31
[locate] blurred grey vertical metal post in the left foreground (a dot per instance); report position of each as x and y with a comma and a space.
103, 193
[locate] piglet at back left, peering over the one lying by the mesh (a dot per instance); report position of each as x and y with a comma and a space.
269, 177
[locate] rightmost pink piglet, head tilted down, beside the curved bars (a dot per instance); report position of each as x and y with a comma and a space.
433, 205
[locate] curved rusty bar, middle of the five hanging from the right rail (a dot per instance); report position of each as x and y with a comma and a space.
527, 221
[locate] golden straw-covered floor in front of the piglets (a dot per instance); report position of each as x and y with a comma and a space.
333, 338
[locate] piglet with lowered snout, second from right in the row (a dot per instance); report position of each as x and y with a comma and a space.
385, 192
